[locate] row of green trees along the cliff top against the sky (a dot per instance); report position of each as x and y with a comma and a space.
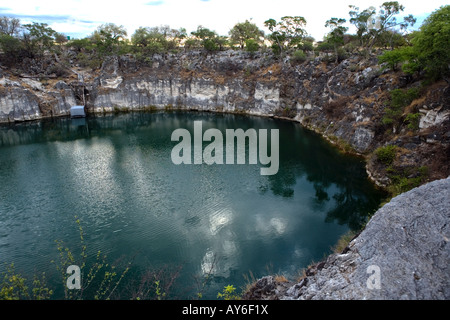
424, 51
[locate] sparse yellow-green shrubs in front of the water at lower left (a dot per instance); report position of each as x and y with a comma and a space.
100, 279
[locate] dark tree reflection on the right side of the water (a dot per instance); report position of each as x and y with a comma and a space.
334, 177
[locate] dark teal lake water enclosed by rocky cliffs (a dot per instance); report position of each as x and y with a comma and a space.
197, 228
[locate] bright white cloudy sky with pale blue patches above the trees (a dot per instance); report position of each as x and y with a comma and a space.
80, 18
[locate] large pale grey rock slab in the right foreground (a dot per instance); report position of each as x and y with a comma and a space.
402, 254
